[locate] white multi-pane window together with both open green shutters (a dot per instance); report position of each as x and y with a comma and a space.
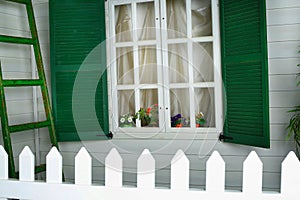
151, 59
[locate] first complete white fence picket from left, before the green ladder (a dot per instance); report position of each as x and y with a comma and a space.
26, 165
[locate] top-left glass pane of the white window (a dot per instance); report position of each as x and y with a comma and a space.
123, 22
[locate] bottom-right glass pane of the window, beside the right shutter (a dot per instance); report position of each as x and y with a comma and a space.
204, 107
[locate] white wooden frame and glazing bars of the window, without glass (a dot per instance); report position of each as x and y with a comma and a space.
162, 60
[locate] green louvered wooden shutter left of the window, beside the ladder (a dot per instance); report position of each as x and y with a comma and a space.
77, 30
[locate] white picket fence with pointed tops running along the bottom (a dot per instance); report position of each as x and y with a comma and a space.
27, 188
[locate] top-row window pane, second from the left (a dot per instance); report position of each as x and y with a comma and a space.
146, 21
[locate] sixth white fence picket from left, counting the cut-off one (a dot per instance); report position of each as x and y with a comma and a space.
146, 170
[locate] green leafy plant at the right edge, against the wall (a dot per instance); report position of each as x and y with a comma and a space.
294, 124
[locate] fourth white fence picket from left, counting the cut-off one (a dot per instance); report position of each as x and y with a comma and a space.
83, 168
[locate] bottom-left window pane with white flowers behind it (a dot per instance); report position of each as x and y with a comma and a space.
126, 106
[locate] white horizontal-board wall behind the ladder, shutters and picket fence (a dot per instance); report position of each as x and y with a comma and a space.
283, 21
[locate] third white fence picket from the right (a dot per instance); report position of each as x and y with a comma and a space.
215, 173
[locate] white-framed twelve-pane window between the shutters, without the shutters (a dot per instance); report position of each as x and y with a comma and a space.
165, 64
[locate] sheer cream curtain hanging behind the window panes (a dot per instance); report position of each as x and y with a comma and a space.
178, 58
